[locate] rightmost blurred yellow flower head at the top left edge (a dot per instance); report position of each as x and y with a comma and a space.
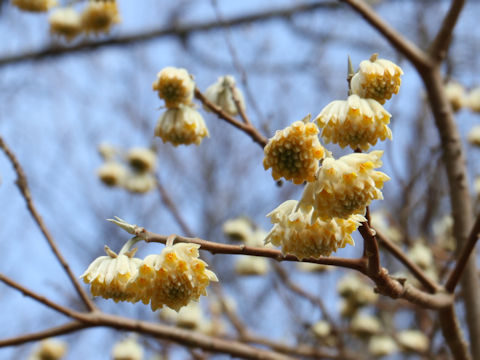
99, 16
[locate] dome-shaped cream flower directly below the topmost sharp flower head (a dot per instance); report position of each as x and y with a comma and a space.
356, 122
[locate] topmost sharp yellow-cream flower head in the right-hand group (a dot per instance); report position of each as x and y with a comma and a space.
377, 79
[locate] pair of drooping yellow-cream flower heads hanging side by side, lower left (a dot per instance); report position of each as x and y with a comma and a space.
173, 278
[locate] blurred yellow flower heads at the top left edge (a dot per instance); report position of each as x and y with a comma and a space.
97, 16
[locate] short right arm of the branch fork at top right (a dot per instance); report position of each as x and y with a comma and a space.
441, 43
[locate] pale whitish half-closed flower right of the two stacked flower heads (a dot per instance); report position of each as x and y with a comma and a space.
220, 93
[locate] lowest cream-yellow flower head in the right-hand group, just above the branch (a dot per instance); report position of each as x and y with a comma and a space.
294, 231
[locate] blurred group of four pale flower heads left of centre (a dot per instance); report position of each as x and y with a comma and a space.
133, 170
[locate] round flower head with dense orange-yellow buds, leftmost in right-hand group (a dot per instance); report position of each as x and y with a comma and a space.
294, 152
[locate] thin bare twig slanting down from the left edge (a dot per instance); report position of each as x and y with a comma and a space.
25, 191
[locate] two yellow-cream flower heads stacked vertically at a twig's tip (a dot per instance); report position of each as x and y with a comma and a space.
181, 124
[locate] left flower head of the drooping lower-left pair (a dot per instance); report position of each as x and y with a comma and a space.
109, 276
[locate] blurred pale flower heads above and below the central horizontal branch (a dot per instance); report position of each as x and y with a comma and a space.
241, 229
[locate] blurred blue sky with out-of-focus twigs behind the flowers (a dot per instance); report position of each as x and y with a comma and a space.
290, 59
